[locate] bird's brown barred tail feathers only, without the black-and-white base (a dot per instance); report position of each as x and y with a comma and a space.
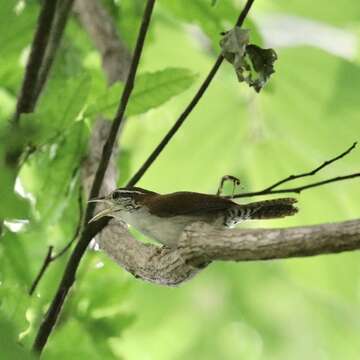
270, 209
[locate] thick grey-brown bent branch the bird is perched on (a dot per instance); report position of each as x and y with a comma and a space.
201, 244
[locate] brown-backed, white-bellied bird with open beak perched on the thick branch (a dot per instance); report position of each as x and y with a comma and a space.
163, 217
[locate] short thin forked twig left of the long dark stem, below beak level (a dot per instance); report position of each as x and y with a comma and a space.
49, 258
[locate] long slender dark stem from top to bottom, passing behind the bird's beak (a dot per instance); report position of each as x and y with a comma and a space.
88, 232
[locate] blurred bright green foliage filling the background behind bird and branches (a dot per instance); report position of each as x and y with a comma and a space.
291, 309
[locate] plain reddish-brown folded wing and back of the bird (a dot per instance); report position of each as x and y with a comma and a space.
187, 203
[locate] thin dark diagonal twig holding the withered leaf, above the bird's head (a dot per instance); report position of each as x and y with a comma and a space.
188, 109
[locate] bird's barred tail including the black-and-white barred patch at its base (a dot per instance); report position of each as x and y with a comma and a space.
268, 209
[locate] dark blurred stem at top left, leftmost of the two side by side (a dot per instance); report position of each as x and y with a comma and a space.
27, 99
